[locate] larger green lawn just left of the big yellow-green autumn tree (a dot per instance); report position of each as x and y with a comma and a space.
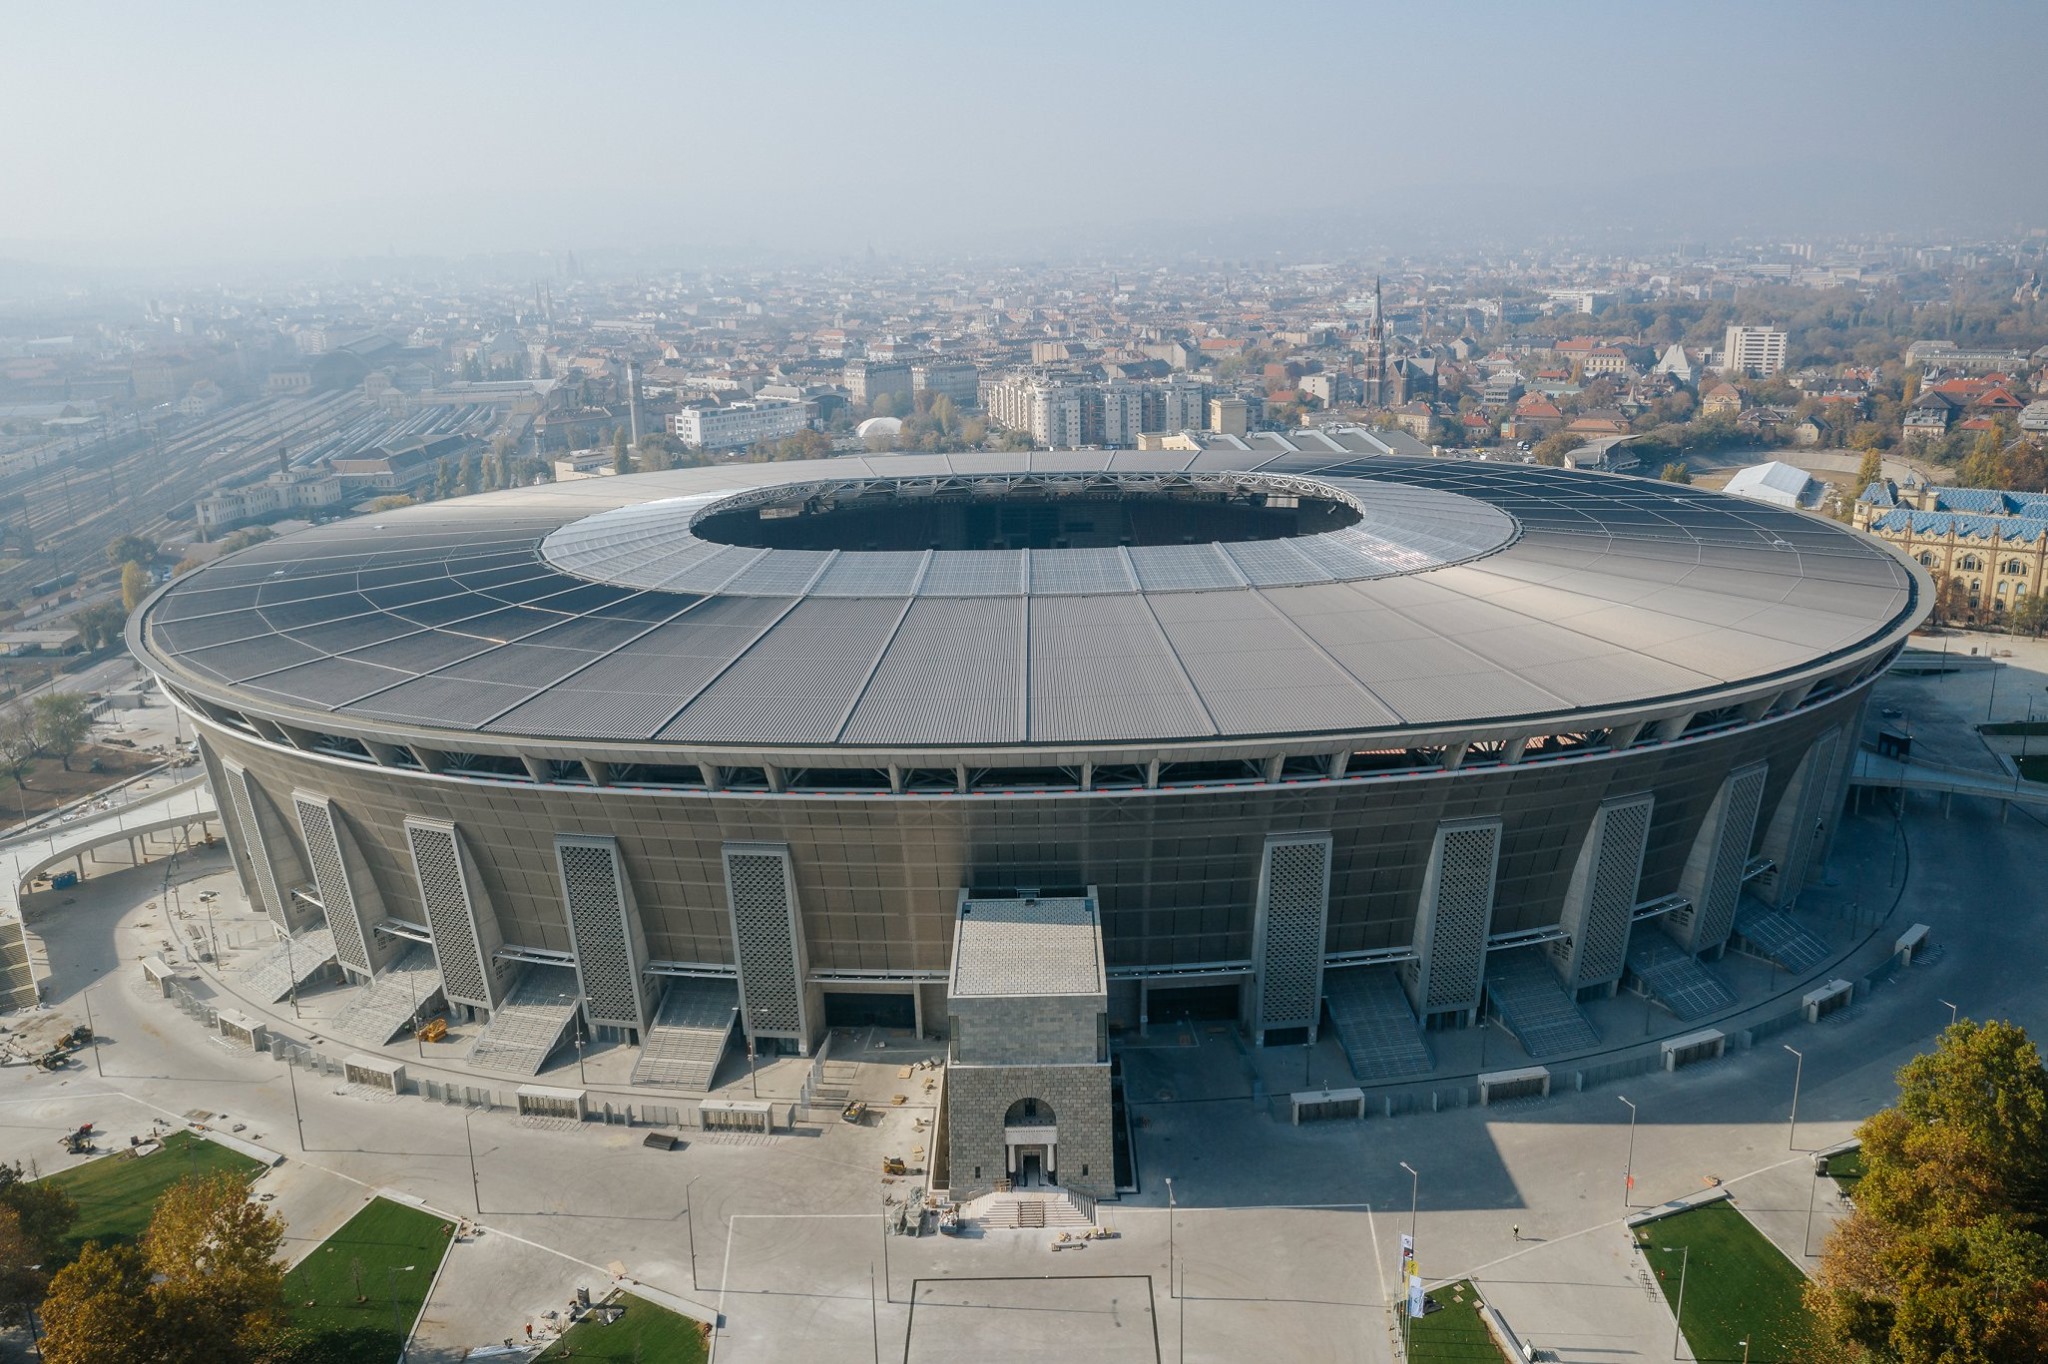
1738, 1287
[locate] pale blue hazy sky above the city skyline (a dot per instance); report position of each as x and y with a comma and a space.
200, 132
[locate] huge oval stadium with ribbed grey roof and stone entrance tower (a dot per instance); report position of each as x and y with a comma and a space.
1029, 751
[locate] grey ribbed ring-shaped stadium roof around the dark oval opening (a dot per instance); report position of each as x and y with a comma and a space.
1465, 595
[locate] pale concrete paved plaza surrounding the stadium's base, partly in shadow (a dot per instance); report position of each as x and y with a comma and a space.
1283, 1240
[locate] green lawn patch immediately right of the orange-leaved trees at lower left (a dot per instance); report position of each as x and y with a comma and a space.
323, 1291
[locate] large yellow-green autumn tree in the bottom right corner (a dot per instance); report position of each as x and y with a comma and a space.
1945, 1259
